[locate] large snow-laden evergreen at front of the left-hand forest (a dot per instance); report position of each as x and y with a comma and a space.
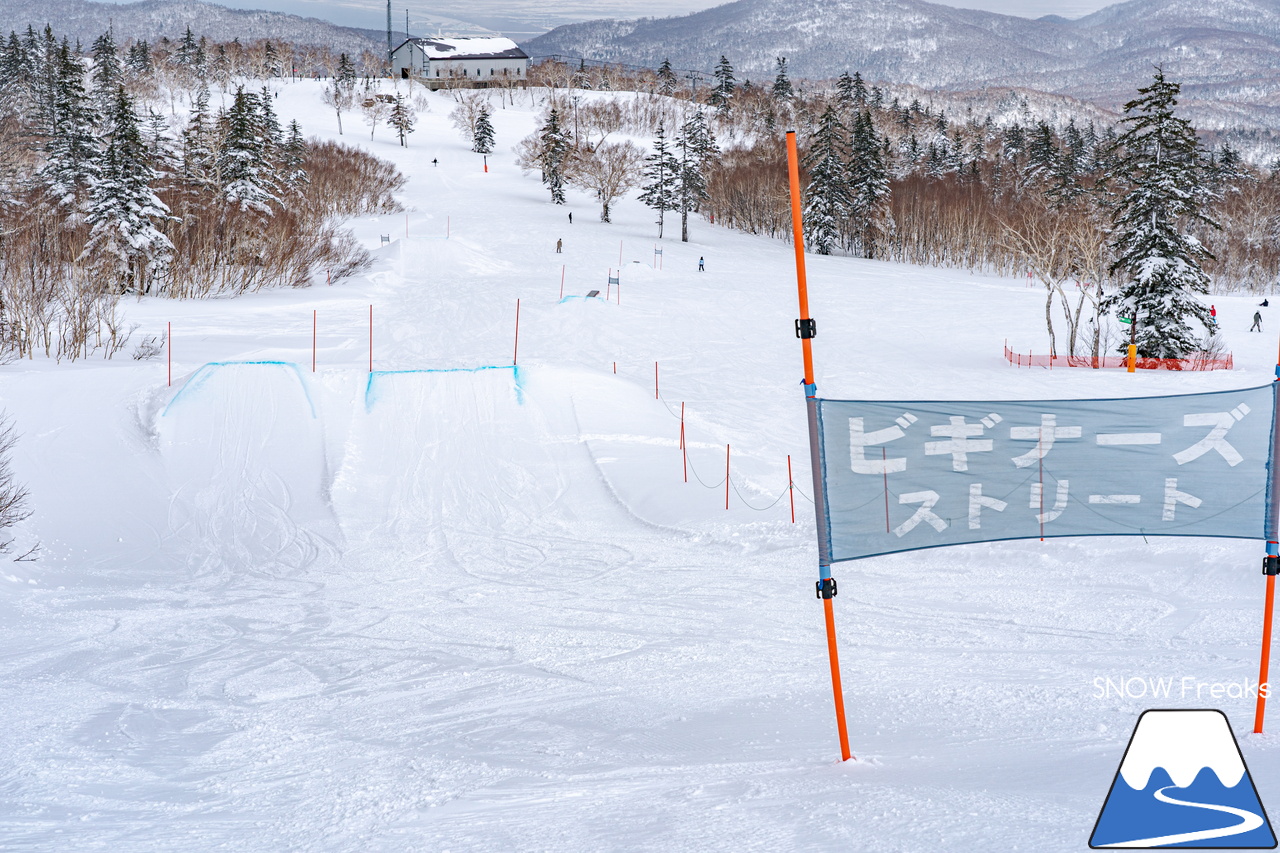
125, 243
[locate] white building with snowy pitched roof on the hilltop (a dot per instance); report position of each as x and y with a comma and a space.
438, 60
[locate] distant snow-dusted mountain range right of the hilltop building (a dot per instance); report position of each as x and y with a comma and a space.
1226, 53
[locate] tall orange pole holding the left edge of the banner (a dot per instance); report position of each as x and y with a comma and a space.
807, 330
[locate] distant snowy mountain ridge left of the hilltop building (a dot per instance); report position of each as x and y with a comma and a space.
154, 20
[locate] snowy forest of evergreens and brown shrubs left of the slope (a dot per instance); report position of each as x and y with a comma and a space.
161, 170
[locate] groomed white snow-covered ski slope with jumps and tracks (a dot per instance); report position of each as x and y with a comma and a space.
456, 605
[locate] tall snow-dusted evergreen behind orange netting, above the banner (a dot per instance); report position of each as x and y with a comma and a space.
1158, 259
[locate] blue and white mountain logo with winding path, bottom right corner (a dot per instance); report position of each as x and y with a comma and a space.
1183, 783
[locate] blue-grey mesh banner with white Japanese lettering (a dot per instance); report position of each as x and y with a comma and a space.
906, 476
